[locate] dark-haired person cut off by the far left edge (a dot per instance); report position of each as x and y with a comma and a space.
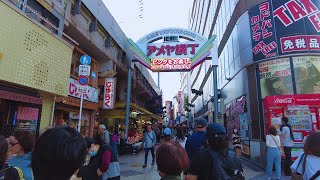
7, 172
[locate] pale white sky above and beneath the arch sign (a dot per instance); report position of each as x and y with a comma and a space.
157, 14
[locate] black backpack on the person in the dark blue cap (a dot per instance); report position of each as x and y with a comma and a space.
225, 166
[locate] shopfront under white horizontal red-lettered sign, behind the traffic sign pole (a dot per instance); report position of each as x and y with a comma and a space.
67, 109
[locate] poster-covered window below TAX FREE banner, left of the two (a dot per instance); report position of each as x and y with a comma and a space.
275, 77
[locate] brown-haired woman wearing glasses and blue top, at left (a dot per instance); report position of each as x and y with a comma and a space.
21, 144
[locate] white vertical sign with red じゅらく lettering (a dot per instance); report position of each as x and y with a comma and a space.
109, 93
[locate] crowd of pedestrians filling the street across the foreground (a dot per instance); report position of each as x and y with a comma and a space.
62, 153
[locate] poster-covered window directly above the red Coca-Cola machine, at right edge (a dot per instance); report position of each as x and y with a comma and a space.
307, 74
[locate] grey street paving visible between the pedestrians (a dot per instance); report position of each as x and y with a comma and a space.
131, 169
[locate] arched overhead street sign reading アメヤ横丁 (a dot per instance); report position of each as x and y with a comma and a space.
173, 49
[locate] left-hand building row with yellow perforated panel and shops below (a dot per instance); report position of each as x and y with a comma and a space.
43, 92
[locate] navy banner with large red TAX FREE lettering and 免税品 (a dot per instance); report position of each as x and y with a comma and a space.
281, 27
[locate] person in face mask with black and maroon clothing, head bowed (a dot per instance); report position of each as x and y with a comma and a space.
103, 164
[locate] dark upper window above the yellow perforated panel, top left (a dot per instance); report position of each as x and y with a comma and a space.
42, 15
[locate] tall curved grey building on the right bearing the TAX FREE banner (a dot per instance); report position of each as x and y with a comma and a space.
268, 67
